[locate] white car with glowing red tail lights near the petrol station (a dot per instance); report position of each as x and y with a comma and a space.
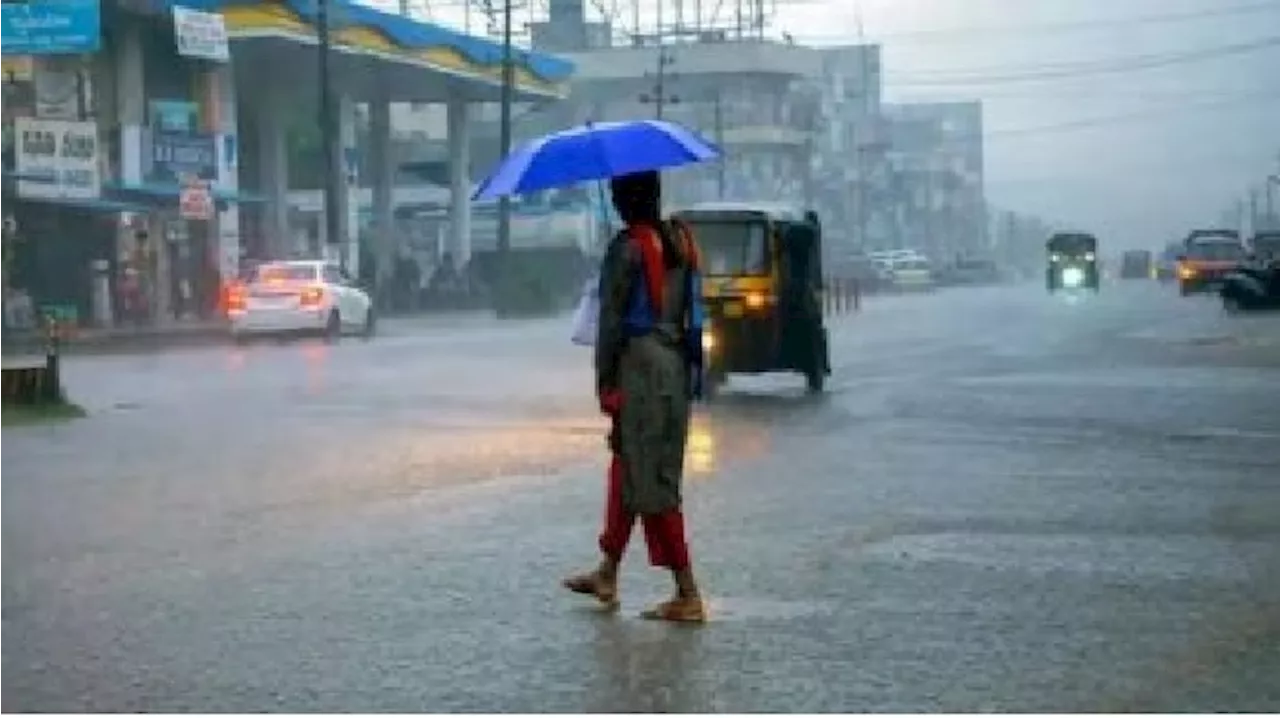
286, 298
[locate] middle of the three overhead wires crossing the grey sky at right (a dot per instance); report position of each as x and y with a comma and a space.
1085, 70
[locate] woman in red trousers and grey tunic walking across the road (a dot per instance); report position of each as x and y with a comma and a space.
644, 383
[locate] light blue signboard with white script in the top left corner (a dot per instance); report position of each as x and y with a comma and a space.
51, 28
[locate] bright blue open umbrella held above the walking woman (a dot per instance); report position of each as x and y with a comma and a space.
596, 152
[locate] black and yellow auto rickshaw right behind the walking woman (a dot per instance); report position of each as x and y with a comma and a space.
762, 268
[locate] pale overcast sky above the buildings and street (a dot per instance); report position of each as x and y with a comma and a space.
1136, 156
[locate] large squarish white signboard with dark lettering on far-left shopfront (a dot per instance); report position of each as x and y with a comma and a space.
58, 158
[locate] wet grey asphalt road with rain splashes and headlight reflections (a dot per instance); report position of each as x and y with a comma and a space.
1007, 502
